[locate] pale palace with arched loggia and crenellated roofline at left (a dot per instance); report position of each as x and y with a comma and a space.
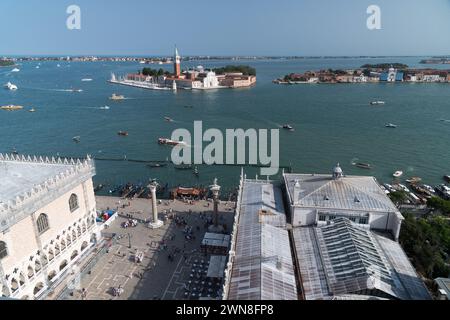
47, 222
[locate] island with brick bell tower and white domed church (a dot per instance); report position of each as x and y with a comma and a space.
198, 78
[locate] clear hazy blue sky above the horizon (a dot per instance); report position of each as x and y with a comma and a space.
231, 27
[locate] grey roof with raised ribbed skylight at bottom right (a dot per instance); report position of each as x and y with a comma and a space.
342, 258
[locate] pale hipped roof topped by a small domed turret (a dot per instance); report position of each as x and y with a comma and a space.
359, 193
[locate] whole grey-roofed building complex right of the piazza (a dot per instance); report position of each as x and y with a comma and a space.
318, 237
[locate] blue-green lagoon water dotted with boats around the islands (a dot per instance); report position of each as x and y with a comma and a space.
333, 122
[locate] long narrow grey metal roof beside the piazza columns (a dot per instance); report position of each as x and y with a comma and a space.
262, 266
